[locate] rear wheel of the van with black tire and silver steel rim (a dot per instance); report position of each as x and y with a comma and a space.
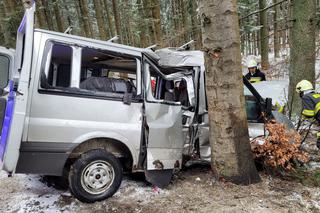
95, 176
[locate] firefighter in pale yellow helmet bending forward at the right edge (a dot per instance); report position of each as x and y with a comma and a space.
310, 102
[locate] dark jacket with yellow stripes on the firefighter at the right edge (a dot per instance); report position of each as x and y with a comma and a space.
311, 105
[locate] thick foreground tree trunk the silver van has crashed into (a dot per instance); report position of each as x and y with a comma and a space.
229, 138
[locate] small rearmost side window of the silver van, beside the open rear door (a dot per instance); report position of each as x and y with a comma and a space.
59, 74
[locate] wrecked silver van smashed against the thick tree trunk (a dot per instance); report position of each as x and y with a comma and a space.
91, 110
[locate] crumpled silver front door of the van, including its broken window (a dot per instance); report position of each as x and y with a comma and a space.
163, 122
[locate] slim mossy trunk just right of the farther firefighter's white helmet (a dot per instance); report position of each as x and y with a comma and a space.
264, 35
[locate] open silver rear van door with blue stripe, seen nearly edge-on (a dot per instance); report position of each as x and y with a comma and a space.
16, 106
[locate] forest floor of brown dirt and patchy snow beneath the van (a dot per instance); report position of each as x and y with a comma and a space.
192, 190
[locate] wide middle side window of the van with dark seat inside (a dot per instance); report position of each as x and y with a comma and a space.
107, 73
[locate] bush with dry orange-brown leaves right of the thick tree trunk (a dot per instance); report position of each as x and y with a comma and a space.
280, 148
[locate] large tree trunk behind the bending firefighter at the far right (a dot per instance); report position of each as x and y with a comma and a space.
302, 48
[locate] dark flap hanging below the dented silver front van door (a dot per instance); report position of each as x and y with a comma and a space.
160, 178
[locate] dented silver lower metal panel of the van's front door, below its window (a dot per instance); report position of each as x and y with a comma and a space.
166, 140
